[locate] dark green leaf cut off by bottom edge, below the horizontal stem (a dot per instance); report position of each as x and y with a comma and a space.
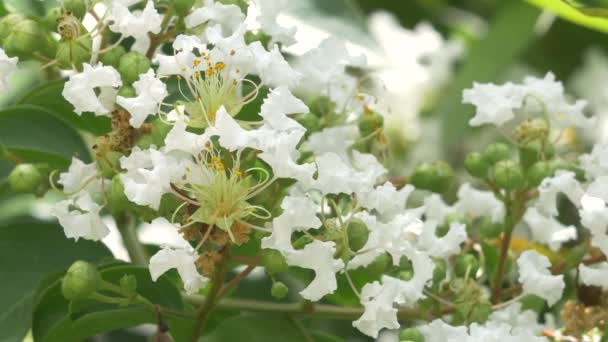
256, 329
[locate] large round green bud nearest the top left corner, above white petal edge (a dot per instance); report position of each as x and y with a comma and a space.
24, 38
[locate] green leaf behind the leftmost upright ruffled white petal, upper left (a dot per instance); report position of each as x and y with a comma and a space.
49, 95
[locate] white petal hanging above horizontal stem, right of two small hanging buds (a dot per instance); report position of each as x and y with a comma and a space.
318, 256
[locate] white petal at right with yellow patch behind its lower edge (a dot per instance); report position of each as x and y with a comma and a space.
547, 229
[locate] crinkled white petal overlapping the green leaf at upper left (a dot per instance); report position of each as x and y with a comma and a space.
79, 90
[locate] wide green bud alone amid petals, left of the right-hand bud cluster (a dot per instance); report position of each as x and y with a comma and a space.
436, 176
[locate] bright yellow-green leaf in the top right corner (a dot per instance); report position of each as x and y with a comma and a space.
583, 16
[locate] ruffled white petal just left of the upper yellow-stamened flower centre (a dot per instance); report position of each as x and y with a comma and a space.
150, 93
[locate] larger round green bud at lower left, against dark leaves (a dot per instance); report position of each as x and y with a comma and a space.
81, 280
